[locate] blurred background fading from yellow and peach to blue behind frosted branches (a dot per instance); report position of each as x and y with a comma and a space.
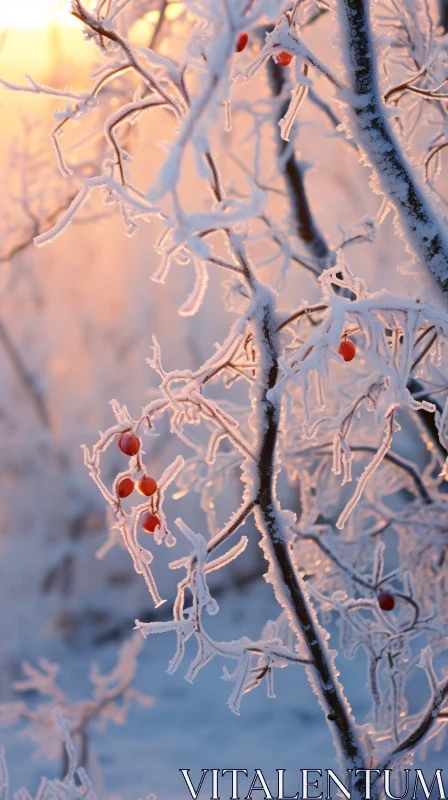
76, 321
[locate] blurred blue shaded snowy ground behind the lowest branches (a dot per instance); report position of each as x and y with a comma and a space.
190, 726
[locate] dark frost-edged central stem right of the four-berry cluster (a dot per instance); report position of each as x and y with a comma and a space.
288, 584
